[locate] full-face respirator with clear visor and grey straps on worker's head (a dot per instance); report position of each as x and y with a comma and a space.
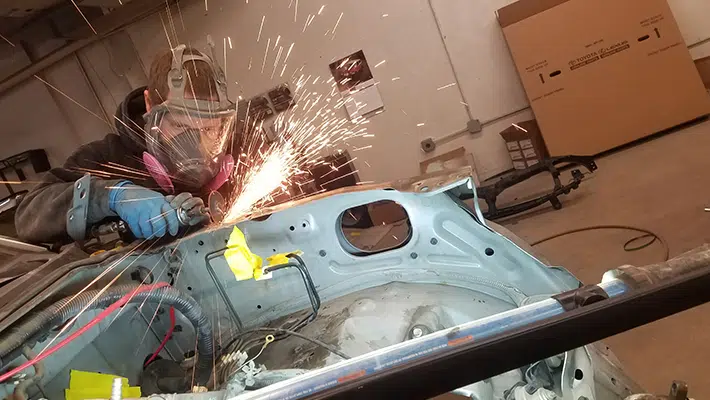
187, 138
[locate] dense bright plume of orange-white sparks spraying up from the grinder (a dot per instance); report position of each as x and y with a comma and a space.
306, 131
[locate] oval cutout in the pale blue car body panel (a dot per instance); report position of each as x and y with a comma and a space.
374, 227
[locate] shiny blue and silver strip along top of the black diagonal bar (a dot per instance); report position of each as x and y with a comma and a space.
400, 354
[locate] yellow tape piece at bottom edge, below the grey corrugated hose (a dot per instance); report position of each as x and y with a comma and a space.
91, 385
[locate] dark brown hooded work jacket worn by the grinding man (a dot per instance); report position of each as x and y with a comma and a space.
41, 215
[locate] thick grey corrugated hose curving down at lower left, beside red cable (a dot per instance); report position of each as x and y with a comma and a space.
67, 308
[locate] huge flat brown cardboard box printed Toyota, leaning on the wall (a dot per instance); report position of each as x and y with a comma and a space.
602, 73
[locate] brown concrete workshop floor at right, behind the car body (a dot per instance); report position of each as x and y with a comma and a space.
661, 185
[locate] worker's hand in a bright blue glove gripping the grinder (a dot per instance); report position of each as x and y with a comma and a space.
147, 212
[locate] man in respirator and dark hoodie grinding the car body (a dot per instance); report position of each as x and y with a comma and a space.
171, 146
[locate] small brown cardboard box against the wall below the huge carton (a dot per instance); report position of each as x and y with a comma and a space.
525, 144
